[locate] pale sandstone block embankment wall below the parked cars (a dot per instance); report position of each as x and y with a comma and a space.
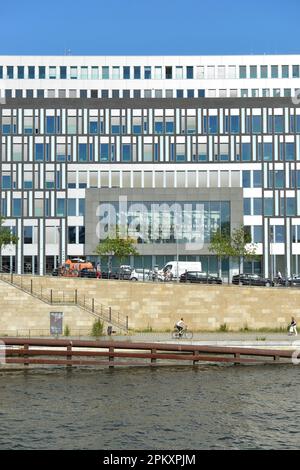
155, 305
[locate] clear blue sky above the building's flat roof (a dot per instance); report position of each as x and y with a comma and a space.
149, 27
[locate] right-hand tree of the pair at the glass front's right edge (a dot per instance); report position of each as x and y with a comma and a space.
242, 246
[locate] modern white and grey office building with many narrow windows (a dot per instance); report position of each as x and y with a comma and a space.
219, 136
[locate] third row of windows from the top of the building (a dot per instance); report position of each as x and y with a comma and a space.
201, 123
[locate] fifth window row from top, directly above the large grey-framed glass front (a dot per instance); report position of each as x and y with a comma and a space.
51, 179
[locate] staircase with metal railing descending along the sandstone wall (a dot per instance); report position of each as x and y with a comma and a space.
66, 297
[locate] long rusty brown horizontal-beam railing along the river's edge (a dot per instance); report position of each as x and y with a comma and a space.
24, 351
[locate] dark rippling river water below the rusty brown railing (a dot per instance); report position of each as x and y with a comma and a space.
209, 407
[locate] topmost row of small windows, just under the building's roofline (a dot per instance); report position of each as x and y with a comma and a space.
149, 72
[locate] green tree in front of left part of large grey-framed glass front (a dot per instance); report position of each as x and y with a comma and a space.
120, 247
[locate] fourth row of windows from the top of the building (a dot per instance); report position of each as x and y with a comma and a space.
177, 152
